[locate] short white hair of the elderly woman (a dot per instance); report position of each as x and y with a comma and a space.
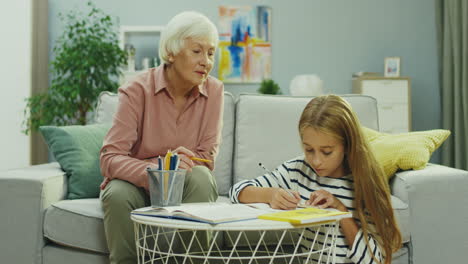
188, 24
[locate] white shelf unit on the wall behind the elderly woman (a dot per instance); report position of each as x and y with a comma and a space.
125, 32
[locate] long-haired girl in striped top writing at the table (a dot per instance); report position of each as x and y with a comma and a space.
338, 170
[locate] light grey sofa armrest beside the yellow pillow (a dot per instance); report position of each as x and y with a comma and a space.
438, 201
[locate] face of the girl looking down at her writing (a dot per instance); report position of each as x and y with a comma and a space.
324, 153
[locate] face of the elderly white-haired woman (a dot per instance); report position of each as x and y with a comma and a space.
194, 61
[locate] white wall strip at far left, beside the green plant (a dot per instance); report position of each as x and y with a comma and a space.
15, 80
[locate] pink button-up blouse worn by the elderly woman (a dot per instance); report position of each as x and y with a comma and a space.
146, 126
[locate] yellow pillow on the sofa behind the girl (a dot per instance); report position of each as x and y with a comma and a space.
404, 151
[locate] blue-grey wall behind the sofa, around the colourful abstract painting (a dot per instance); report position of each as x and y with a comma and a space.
331, 38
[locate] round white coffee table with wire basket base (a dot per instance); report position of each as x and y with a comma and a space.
180, 249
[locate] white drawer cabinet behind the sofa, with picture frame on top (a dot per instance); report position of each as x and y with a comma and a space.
393, 101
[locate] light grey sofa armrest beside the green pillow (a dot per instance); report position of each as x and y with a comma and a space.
24, 195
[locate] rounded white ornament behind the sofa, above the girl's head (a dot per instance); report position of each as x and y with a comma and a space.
306, 85
